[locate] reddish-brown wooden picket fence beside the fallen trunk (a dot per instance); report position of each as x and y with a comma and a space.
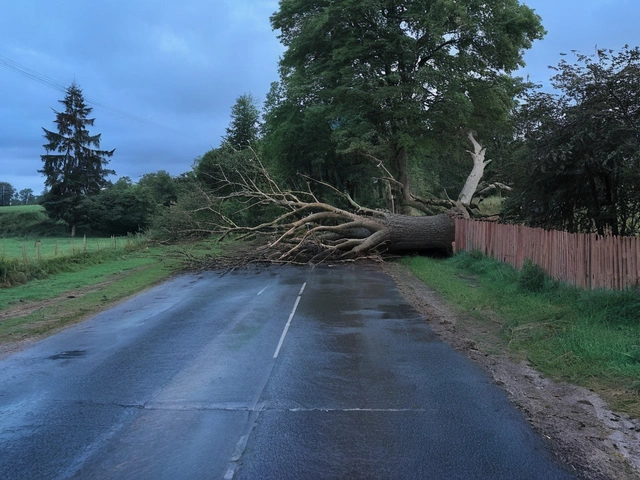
584, 260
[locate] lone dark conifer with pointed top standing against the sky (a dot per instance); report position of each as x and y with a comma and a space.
73, 169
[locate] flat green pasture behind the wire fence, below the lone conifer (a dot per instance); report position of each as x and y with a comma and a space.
56, 247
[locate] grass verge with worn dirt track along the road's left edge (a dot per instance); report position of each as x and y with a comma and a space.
93, 283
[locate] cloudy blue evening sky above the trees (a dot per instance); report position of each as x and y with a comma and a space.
162, 76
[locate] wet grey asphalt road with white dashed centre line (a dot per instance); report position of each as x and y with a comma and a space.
288, 373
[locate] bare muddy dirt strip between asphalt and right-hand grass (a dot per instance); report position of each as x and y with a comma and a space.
583, 431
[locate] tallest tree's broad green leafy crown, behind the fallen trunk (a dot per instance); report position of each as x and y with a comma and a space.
379, 83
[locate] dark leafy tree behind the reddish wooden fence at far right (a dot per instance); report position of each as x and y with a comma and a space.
578, 168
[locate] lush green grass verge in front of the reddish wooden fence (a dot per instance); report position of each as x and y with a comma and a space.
587, 338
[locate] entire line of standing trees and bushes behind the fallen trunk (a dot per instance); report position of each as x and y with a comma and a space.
386, 106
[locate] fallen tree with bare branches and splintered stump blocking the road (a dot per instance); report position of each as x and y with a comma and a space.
303, 229
